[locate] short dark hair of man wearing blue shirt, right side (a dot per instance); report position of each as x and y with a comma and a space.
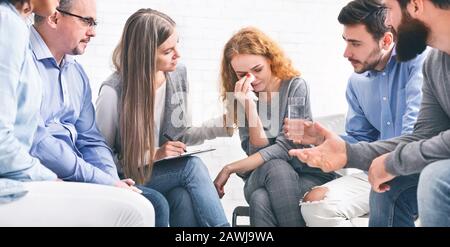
370, 13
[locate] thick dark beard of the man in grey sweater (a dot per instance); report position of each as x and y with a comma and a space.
412, 37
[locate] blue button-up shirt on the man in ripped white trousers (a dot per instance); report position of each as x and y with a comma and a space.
384, 104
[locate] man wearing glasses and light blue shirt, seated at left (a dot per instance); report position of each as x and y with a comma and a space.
68, 141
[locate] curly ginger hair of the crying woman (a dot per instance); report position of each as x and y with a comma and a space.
251, 41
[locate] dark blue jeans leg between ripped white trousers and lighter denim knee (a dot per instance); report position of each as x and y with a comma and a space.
396, 207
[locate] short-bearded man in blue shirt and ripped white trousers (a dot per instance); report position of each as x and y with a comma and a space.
383, 96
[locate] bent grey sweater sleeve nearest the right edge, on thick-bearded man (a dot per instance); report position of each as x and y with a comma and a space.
432, 128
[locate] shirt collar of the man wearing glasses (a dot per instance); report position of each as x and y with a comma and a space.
41, 50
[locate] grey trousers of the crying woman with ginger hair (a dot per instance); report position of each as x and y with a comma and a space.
273, 192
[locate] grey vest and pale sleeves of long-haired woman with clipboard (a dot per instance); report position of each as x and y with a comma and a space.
176, 119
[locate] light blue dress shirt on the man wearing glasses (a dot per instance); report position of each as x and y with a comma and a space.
68, 140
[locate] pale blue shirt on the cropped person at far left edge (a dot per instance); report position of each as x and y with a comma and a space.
20, 97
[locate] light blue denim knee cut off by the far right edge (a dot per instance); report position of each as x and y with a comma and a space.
434, 195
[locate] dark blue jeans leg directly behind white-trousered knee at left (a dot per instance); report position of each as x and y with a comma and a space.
160, 205
